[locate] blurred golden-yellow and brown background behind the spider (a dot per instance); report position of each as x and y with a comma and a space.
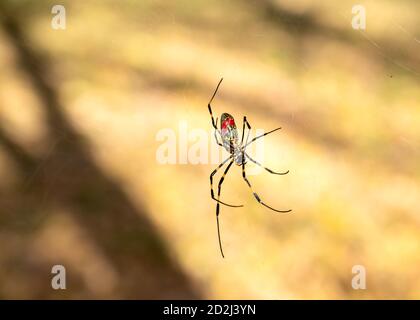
80, 185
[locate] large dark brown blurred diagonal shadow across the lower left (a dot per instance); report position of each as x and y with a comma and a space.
69, 178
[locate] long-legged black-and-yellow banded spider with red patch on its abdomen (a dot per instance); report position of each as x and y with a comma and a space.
229, 140
